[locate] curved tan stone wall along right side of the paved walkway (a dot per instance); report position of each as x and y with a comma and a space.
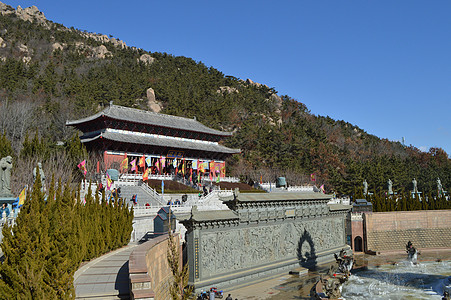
149, 271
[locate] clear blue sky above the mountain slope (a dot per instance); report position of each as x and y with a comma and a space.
384, 66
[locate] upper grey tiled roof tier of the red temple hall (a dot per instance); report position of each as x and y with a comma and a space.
150, 118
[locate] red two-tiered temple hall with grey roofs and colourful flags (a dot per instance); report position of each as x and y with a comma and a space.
168, 144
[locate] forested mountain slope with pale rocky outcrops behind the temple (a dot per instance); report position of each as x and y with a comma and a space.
50, 73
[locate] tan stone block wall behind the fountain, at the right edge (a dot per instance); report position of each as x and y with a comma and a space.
392, 230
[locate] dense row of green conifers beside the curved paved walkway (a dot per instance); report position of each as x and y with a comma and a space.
52, 235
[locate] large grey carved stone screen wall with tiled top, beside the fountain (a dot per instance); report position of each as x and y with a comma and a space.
262, 237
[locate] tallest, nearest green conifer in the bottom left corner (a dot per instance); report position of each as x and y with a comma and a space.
26, 249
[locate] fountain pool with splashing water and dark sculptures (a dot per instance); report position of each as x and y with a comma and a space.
398, 278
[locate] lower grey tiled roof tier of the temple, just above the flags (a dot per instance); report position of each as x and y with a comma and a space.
161, 141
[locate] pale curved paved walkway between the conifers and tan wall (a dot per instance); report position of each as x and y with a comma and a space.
105, 277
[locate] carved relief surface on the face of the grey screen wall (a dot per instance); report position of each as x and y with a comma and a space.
239, 248
